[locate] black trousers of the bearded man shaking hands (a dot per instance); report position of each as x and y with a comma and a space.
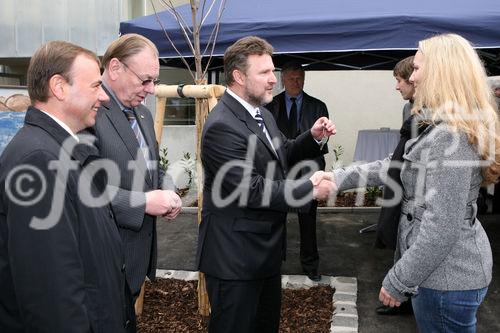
244, 306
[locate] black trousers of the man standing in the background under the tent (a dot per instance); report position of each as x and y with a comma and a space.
309, 256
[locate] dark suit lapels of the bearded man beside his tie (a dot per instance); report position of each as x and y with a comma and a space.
243, 115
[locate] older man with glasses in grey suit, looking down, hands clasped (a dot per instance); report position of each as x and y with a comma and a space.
125, 135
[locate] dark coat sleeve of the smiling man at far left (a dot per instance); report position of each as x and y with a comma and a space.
47, 270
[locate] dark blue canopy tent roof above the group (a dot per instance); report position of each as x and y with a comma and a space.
335, 34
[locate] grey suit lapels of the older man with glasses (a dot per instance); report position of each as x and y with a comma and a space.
125, 132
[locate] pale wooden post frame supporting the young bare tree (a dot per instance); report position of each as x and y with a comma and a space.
206, 98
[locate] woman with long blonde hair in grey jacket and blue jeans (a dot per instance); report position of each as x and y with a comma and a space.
443, 257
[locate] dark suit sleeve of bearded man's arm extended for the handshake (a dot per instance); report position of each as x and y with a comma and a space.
222, 145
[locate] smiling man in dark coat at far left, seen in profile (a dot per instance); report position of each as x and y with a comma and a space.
61, 257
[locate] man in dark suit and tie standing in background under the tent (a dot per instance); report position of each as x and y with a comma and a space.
295, 112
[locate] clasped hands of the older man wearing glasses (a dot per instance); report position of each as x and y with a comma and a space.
163, 203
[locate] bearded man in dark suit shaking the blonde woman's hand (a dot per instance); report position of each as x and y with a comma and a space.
247, 195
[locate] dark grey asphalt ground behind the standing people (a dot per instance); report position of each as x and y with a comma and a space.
343, 252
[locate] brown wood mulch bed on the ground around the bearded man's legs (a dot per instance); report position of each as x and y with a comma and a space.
171, 306
